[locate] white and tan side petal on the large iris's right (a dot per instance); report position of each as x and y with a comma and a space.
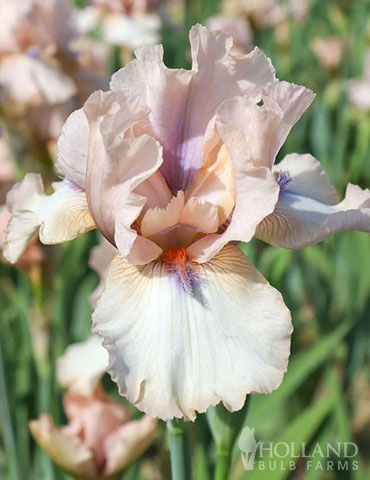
307, 212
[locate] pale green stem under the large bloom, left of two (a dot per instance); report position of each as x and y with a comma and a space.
179, 450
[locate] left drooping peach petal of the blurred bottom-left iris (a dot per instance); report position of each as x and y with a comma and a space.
65, 450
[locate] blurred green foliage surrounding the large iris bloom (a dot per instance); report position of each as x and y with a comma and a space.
327, 287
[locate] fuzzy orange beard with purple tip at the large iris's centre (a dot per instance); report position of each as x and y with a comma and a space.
179, 263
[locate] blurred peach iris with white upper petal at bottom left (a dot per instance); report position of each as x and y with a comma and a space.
100, 440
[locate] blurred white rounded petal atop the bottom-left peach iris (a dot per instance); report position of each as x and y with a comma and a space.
82, 365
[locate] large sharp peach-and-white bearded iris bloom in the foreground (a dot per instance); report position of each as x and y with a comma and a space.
173, 167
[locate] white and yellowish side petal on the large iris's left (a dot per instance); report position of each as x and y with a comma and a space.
62, 216
